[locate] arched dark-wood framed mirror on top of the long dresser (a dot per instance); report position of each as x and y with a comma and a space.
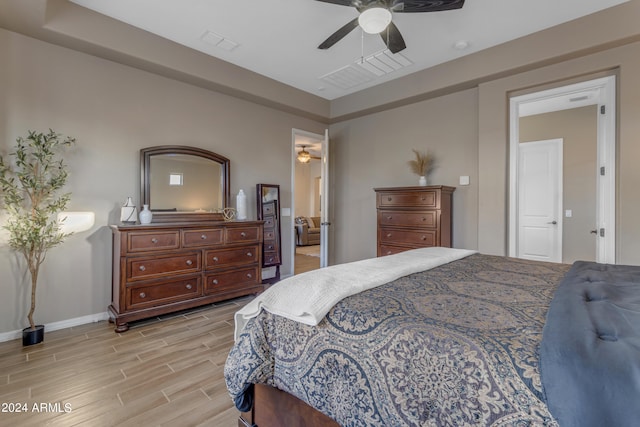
181, 183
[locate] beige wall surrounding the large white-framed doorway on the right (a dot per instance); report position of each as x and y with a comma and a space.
493, 144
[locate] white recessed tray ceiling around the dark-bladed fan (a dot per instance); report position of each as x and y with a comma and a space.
279, 38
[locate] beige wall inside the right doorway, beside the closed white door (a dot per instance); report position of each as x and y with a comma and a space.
578, 129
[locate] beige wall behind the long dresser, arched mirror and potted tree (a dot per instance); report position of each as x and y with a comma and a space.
114, 111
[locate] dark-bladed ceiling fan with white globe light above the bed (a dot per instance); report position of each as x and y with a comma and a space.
375, 18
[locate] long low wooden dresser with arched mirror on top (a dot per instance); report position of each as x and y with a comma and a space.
161, 268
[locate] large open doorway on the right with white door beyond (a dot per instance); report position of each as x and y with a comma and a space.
583, 217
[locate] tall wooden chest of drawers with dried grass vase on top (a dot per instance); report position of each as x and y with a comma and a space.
413, 217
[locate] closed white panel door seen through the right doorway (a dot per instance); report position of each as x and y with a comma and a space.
540, 201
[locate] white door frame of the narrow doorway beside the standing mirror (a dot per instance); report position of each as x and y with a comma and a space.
324, 239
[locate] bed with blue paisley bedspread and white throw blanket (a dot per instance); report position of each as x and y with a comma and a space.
457, 343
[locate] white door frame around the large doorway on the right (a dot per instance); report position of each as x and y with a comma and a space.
603, 91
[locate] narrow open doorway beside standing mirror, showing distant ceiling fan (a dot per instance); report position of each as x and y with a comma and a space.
309, 201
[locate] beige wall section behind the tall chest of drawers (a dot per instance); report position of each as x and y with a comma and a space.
373, 151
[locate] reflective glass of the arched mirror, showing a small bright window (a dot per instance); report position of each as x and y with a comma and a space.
185, 183
